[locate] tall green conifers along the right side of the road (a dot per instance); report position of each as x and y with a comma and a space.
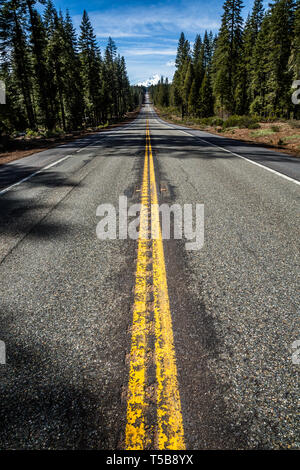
247, 68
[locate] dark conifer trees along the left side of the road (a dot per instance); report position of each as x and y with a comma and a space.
54, 78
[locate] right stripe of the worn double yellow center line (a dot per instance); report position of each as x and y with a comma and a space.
170, 424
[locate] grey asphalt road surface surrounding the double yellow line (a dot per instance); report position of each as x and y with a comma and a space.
66, 297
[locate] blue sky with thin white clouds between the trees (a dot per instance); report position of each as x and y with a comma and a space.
147, 32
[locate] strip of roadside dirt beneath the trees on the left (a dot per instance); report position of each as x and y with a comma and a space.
23, 146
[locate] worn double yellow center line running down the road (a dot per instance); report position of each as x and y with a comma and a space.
151, 313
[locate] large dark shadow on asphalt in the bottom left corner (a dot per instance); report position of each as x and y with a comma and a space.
46, 398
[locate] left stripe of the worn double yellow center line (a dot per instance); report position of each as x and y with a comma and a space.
135, 429
